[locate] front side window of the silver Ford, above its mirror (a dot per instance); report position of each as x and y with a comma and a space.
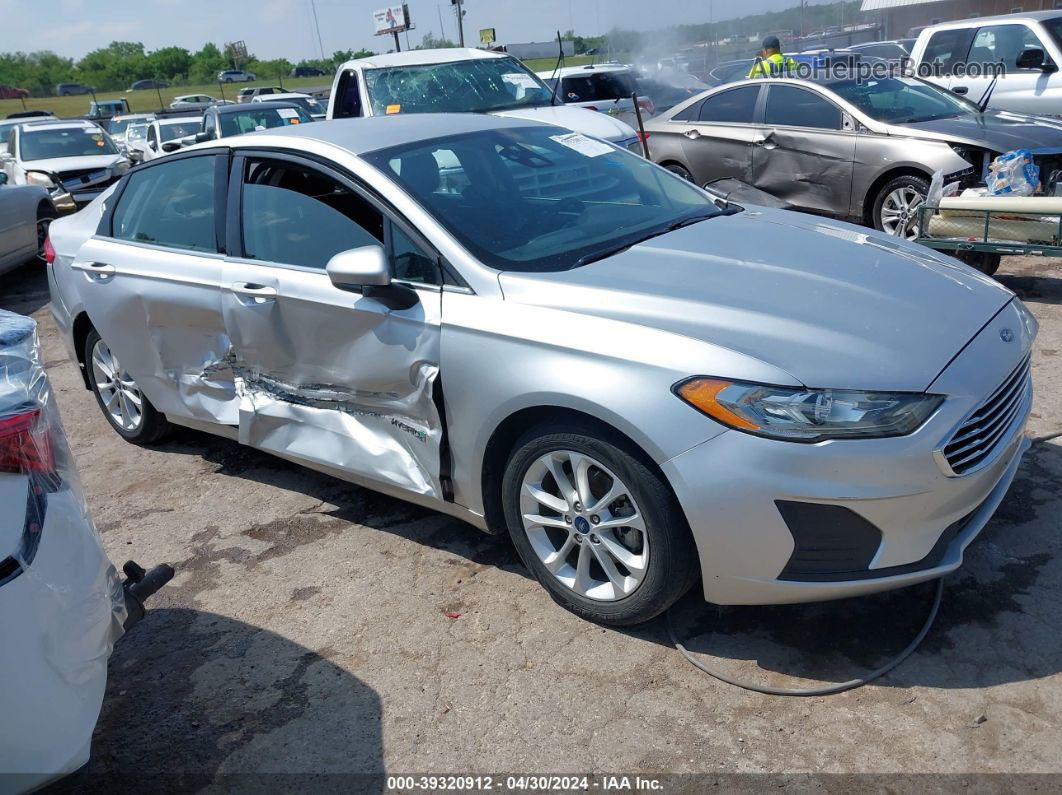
296, 216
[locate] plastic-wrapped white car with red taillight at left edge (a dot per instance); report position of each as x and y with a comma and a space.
62, 603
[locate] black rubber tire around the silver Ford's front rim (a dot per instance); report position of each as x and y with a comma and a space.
673, 567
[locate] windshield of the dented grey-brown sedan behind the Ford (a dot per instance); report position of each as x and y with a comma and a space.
902, 100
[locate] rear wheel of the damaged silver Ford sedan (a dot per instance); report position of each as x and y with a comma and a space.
126, 408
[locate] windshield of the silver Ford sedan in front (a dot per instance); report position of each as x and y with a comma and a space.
541, 199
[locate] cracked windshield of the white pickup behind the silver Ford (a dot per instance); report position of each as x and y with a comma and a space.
481, 85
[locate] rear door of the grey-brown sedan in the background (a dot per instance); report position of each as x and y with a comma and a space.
721, 134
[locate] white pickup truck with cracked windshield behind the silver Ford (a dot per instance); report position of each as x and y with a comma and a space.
463, 81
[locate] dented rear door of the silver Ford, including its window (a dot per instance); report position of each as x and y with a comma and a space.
151, 283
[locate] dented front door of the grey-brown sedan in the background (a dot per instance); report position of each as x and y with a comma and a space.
807, 153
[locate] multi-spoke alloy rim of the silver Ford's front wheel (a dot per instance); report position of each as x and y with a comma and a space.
585, 526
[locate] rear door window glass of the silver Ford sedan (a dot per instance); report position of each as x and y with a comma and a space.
172, 205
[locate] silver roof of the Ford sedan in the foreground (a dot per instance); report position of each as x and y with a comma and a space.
370, 134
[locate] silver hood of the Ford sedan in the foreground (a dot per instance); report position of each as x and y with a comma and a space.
834, 305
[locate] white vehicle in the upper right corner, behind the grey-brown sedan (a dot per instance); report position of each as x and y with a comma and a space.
1030, 46
